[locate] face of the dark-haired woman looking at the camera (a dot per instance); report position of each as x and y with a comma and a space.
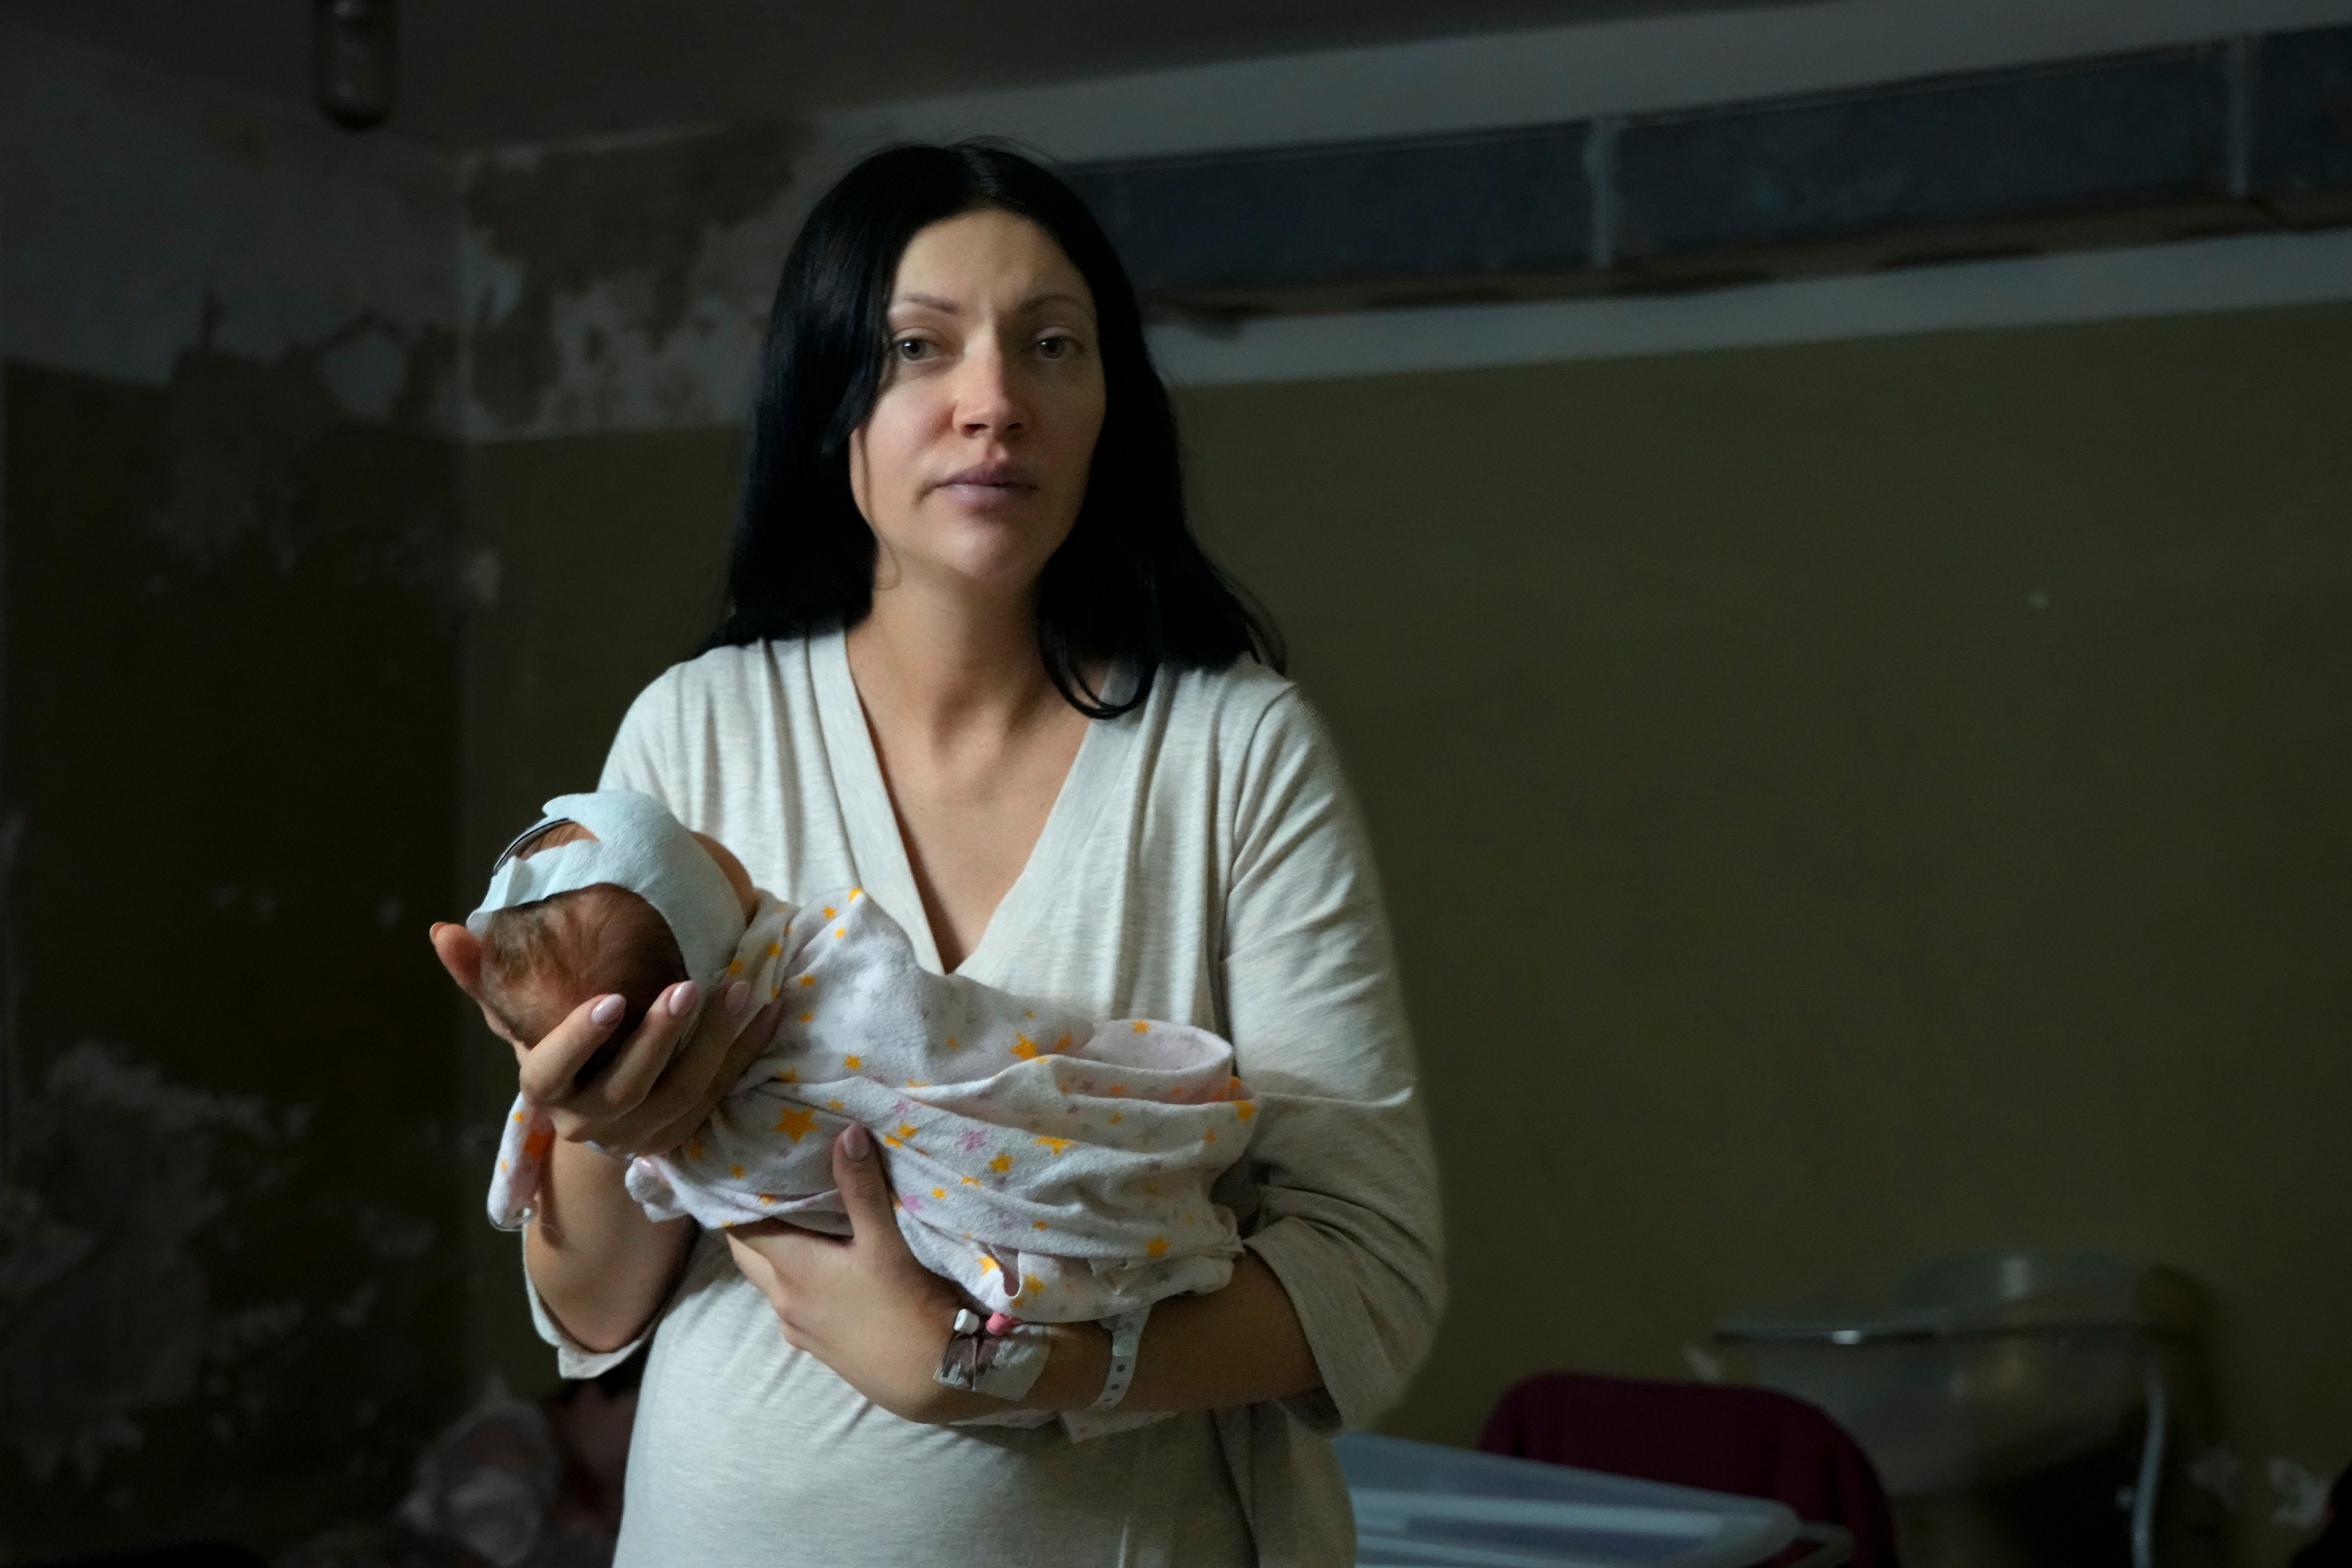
975, 460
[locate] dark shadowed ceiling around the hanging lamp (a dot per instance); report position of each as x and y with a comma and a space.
500, 72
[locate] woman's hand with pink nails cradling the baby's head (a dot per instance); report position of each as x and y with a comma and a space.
657, 1090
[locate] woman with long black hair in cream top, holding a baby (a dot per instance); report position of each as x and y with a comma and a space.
980, 669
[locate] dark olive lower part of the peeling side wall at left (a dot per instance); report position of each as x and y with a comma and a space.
232, 1174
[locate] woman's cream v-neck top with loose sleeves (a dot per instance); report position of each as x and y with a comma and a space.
1201, 864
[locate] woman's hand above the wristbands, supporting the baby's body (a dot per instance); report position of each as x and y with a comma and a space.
862, 1306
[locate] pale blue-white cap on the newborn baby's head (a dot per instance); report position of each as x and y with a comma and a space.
639, 847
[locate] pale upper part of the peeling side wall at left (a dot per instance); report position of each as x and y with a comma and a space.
154, 213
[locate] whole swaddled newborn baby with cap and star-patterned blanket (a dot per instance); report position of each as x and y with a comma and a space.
1055, 1170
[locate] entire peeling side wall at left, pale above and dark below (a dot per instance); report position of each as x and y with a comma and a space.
229, 744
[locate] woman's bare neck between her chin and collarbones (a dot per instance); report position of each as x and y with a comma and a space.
949, 666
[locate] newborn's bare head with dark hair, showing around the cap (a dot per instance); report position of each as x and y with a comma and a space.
544, 958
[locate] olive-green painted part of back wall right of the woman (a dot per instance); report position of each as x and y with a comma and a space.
1852, 805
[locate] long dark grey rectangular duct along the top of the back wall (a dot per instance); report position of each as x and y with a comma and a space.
2238, 135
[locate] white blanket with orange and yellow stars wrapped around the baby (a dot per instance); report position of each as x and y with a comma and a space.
1053, 1167
